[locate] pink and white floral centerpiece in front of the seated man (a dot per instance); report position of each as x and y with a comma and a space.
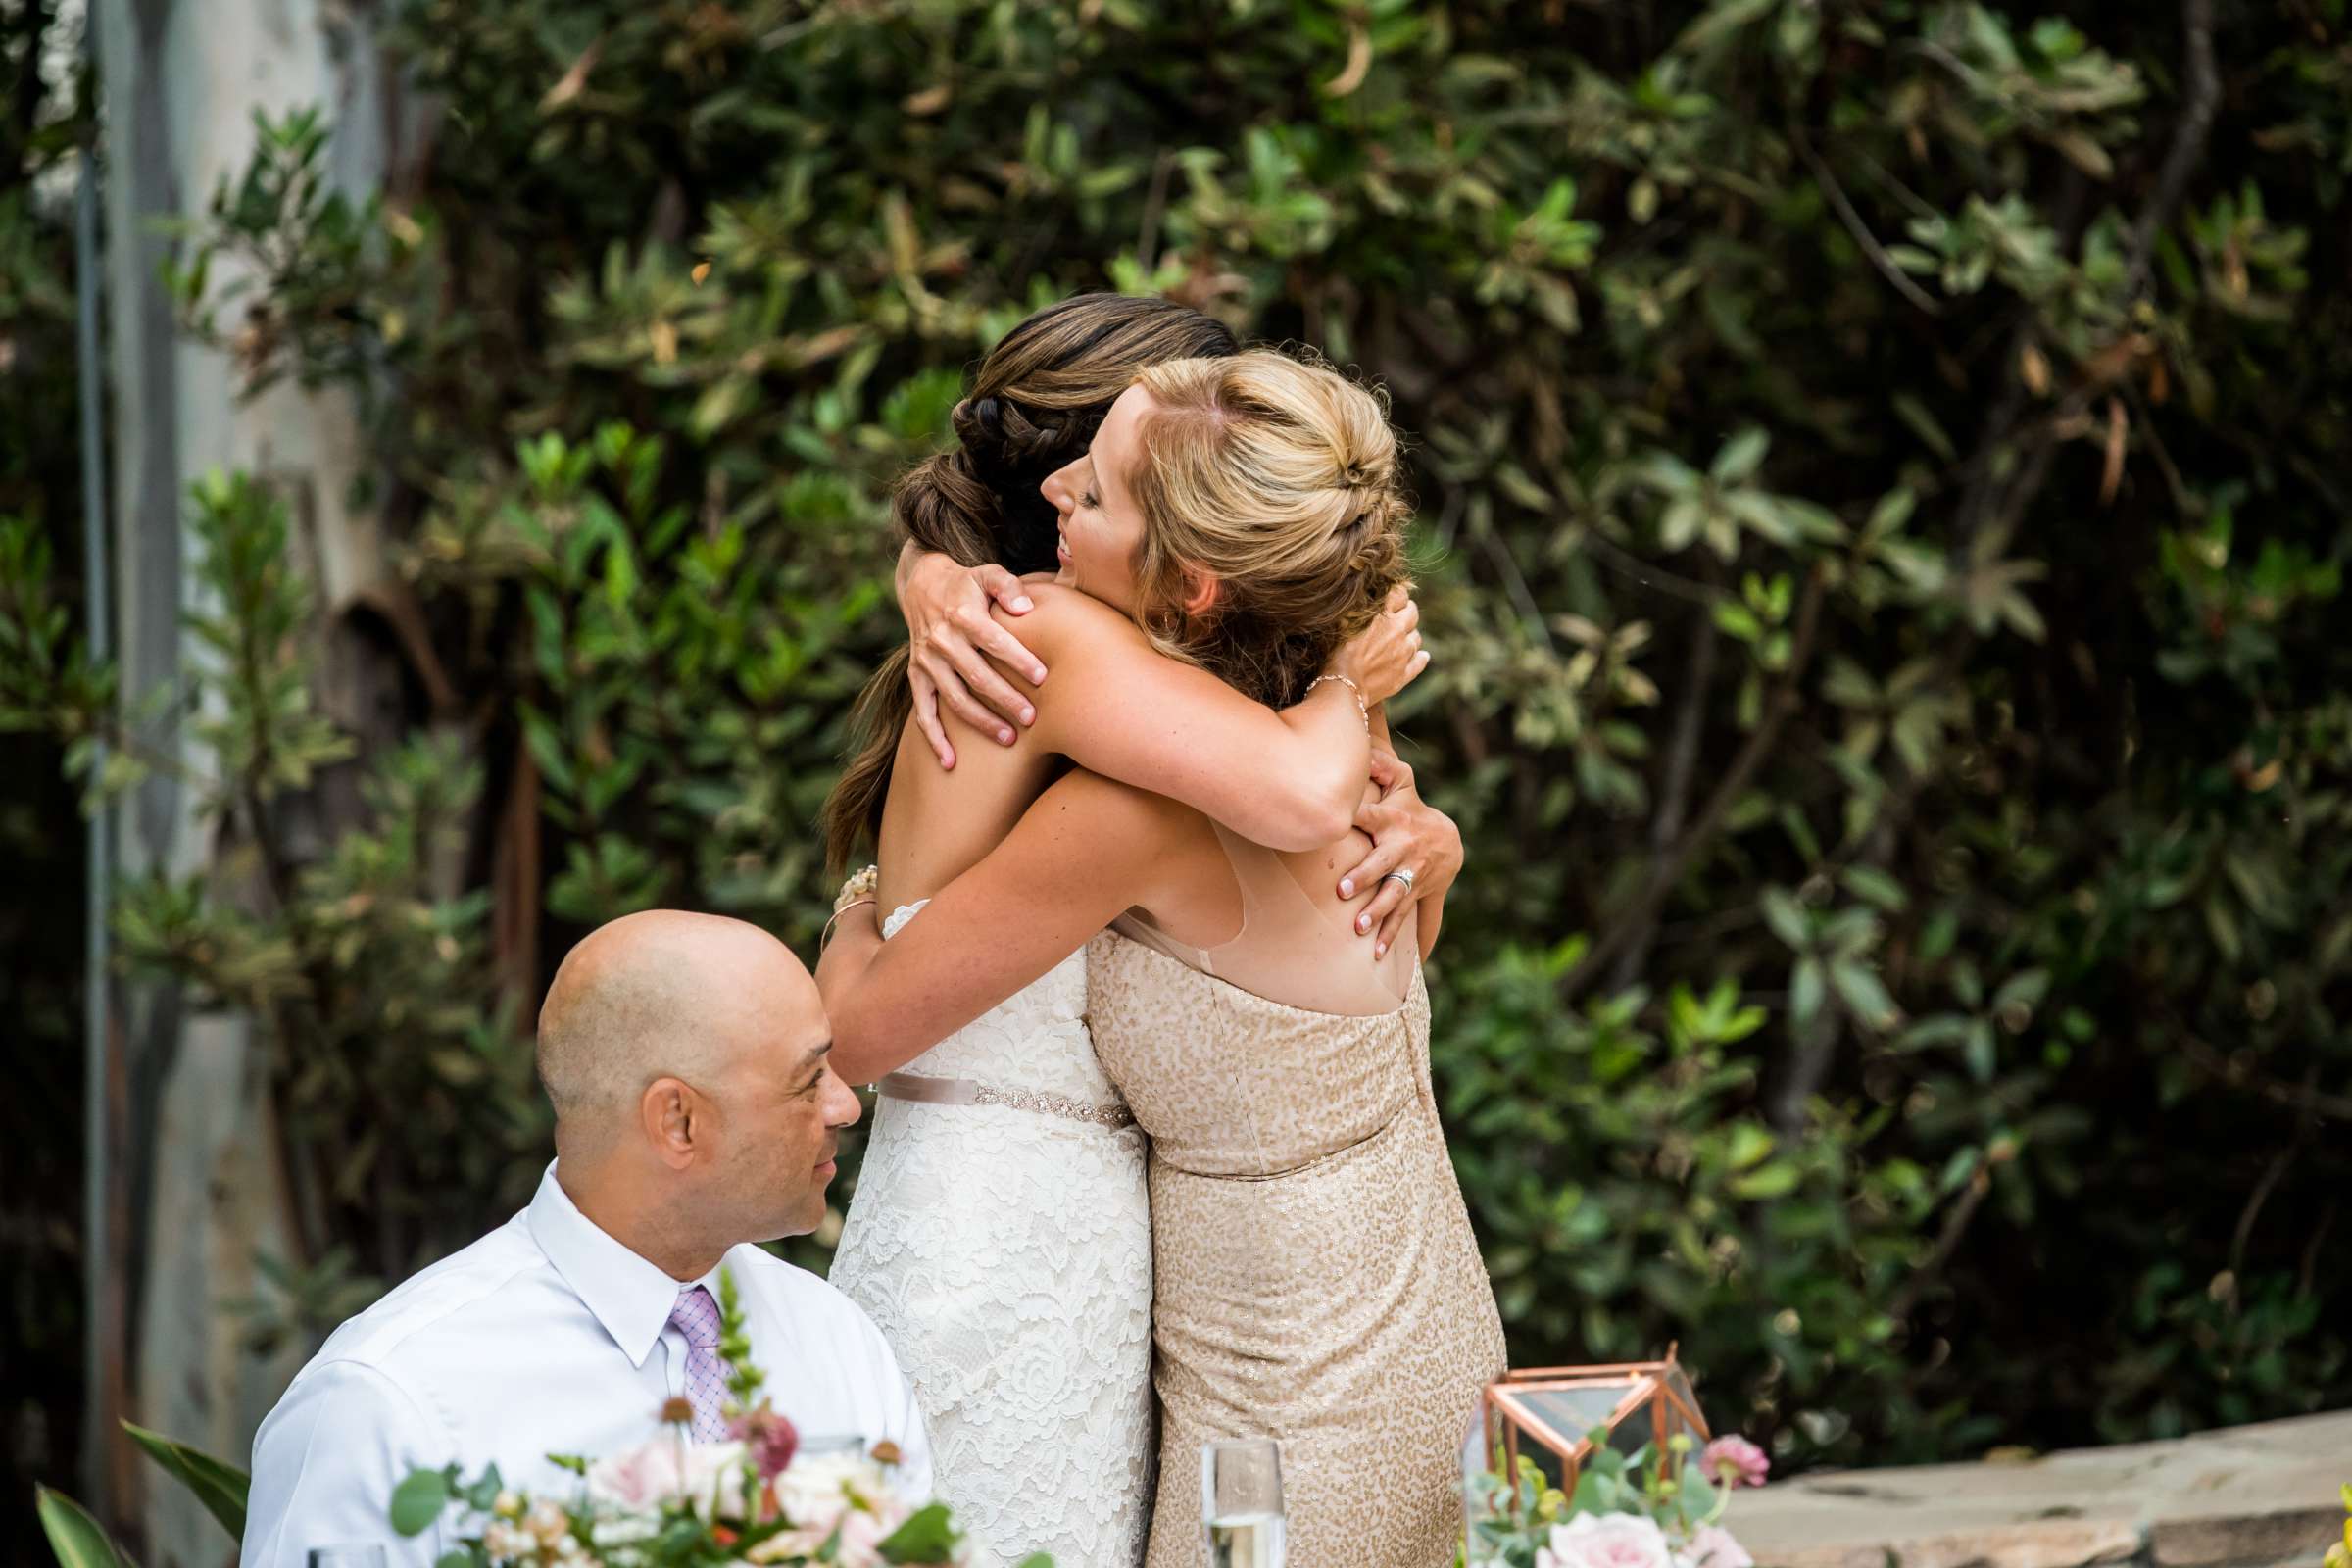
759, 1499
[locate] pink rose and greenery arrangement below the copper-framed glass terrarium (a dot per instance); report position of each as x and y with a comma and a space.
1629, 1510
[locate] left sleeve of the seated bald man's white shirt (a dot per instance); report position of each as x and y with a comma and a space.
326, 1466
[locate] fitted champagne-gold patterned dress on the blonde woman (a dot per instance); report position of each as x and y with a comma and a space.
1316, 1278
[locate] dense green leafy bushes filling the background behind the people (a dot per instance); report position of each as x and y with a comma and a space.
1883, 518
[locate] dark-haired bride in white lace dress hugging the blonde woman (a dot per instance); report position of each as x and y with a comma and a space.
1001, 1233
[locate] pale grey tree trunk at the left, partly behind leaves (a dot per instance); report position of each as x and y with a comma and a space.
199, 1155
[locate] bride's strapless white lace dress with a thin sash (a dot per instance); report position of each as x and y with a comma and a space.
1005, 1252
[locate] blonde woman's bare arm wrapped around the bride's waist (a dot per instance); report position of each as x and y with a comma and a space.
1083, 855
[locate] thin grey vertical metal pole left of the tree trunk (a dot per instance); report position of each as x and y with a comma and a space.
98, 572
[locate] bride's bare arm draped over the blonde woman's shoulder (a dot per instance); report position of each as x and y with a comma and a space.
1283, 779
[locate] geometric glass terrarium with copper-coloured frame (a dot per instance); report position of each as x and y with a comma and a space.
1556, 1414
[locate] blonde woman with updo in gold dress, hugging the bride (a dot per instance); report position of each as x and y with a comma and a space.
1316, 1278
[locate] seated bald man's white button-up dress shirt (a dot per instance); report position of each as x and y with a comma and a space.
544, 1336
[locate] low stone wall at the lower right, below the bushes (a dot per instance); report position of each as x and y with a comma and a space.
2240, 1499
